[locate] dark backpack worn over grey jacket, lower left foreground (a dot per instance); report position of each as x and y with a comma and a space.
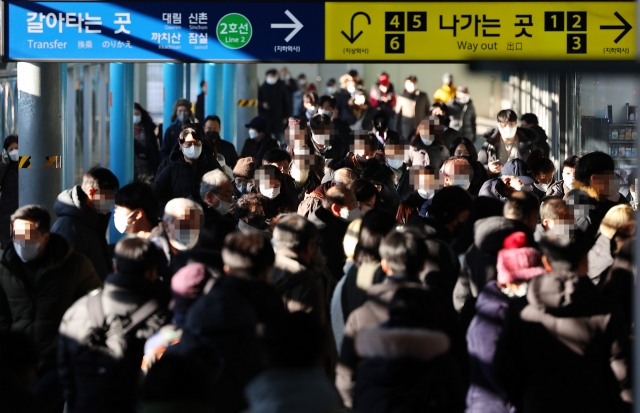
105, 367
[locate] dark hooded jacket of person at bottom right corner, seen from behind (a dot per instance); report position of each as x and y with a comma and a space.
564, 349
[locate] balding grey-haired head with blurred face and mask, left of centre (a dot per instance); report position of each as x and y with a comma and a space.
182, 221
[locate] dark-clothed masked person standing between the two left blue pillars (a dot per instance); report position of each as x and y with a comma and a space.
145, 143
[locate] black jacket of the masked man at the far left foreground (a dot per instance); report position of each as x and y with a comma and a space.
33, 302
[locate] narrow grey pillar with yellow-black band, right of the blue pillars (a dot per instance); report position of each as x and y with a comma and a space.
246, 88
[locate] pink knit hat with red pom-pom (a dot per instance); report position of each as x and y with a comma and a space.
518, 262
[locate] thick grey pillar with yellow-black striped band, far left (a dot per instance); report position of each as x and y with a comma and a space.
41, 106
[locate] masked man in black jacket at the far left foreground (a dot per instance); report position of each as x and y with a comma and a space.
41, 276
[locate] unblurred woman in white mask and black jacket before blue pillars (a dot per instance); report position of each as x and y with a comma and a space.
182, 177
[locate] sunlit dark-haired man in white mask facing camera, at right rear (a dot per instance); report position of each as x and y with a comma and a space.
505, 142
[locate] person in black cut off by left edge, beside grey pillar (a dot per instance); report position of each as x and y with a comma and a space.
9, 186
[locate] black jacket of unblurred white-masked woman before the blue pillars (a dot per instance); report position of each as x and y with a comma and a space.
180, 179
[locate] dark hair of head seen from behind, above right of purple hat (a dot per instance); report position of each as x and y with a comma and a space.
247, 254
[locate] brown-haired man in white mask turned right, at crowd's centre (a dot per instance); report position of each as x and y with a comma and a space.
339, 208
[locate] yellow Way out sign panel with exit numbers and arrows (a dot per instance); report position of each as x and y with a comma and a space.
488, 31
